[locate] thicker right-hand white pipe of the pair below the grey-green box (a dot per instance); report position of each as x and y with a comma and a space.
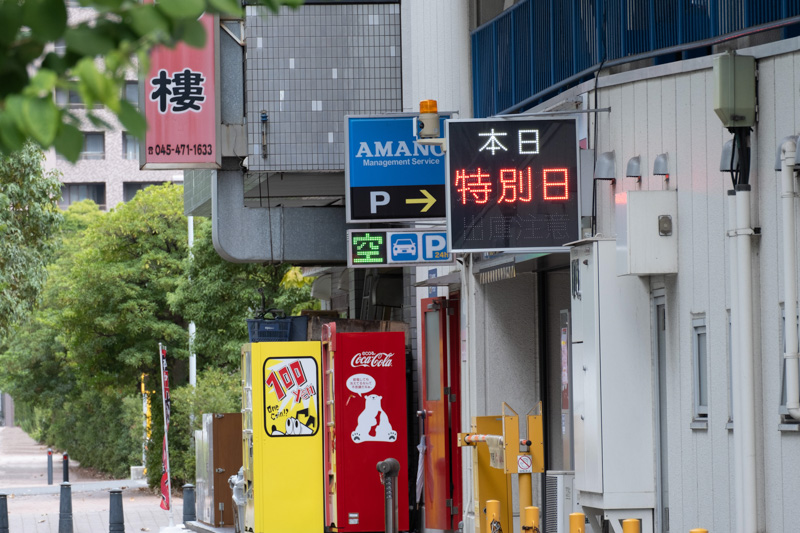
747, 424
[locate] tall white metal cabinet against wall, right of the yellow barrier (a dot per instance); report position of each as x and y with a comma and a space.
612, 379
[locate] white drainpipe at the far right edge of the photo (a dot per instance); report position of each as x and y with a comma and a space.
788, 155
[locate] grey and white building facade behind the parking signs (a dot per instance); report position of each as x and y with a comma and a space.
663, 390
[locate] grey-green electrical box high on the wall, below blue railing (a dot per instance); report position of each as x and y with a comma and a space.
735, 90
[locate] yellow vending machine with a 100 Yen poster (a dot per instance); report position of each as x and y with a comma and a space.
283, 448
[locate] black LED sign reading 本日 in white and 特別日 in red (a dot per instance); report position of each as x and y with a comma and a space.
512, 184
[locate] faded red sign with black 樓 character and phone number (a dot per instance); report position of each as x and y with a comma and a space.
181, 105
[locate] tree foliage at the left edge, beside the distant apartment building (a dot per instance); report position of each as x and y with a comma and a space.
29, 221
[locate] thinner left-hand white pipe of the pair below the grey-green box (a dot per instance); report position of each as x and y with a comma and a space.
736, 363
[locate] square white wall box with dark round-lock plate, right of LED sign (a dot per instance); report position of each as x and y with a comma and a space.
647, 232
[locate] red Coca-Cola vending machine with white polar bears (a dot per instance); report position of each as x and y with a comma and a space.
365, 419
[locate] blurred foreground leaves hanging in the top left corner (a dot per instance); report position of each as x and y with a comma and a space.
100, 51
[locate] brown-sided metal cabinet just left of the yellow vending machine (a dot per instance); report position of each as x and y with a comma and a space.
218, 454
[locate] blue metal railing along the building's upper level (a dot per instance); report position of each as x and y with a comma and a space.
539, 47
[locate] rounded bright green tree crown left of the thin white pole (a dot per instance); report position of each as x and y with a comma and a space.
115, 309
